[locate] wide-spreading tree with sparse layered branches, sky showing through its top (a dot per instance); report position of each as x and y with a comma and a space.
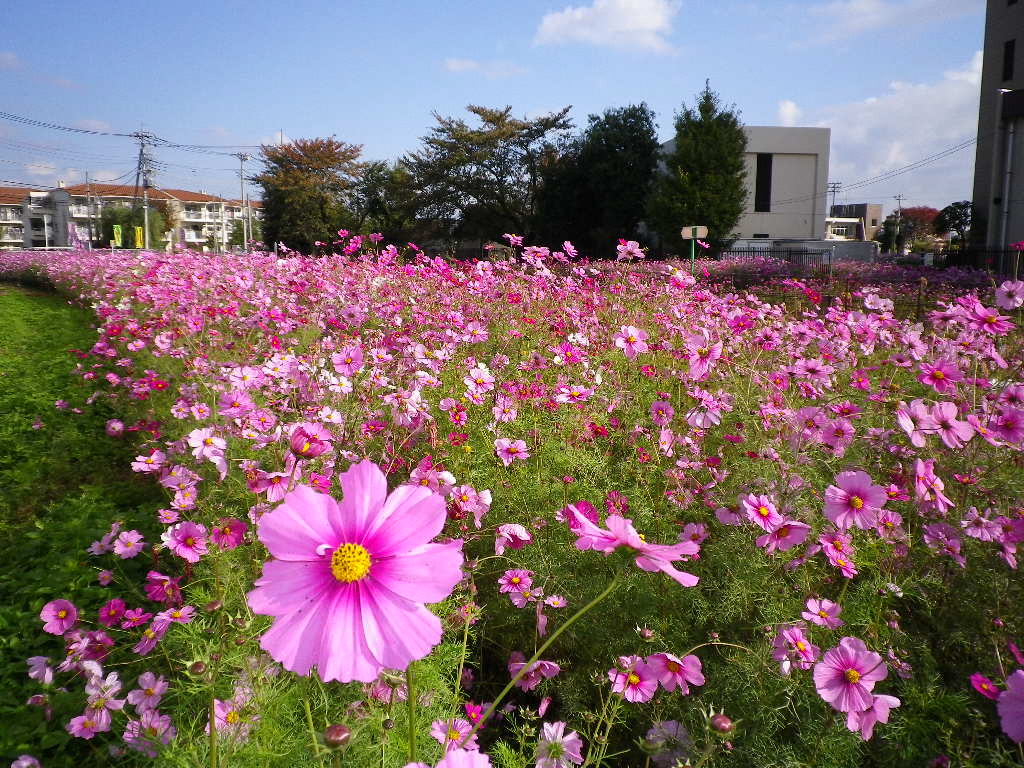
485, 180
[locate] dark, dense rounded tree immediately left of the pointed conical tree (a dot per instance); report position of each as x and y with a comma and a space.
598, 190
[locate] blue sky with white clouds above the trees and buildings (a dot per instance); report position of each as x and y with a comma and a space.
897, 80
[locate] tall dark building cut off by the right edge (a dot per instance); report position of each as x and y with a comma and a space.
999, 167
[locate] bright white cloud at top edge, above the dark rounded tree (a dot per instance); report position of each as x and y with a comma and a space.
618, 24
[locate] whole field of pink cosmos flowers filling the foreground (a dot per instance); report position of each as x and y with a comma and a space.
538, 511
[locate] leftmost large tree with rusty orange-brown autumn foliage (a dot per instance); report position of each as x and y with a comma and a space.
307, 185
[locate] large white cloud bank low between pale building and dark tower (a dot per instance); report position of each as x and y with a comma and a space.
907, 123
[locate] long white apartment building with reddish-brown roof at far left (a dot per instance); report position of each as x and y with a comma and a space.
72, 216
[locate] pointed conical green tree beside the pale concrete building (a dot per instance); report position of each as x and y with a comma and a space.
704, 183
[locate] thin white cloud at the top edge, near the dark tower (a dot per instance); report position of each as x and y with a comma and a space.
847, 19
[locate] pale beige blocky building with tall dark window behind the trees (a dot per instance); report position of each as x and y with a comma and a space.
799, 183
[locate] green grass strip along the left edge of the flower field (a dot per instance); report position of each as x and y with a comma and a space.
61, 487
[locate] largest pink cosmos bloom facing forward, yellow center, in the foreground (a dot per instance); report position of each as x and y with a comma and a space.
350, 580
